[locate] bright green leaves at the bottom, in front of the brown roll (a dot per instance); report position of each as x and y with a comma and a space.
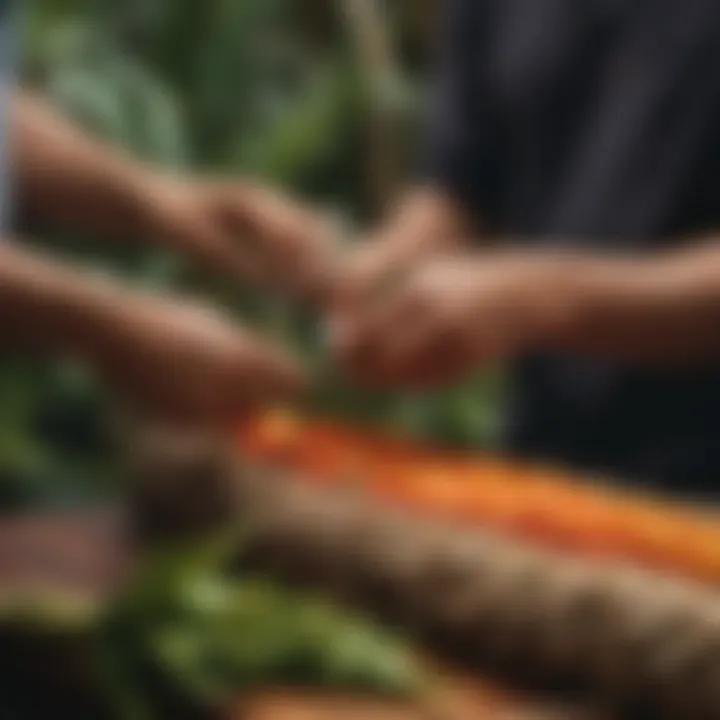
207, 636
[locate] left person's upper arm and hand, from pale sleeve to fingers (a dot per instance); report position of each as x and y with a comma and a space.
236, 228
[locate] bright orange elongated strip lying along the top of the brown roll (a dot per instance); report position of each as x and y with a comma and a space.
543, 505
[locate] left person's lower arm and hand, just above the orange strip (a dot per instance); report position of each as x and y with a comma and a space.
167, 358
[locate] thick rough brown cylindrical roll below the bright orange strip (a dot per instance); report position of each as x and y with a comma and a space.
643, 644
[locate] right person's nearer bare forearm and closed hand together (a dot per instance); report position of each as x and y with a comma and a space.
452, 316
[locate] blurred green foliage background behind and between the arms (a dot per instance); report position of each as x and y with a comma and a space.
325, 98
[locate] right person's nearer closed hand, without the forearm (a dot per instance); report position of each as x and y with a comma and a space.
448, 318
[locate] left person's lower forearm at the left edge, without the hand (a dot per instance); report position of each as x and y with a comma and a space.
46, 307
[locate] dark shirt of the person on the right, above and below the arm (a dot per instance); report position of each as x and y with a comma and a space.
596, 124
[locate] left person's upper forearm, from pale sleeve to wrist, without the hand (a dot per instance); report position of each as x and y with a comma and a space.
67, 178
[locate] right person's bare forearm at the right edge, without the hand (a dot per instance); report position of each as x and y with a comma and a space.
664, 309
